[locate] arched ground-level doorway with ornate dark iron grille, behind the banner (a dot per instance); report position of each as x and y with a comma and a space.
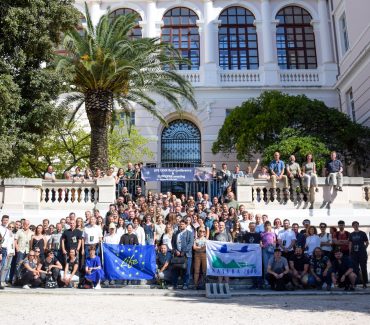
180, 147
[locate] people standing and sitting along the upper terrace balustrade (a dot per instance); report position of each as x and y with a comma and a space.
129, 181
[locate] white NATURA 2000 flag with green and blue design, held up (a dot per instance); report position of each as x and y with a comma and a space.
233, 259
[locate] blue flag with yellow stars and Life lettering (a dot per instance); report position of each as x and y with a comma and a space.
129, 262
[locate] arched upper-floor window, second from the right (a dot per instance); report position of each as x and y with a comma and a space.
237, 40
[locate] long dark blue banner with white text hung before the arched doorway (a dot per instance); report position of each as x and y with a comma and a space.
177, 174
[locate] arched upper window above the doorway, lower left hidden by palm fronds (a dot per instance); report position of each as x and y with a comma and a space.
181, 30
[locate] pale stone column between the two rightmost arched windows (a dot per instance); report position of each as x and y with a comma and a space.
267, 30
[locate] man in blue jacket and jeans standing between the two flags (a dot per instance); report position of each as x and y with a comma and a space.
182, 245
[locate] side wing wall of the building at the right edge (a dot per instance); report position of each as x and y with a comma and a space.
351, 30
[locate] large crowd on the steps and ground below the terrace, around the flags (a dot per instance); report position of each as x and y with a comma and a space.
69, 253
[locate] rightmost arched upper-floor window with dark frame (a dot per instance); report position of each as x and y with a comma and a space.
295, 39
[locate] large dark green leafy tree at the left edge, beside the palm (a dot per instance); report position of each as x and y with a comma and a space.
29, 30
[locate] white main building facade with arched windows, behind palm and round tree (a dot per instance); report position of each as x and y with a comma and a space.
238, 49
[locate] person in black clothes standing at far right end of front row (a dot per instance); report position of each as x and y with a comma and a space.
358, 243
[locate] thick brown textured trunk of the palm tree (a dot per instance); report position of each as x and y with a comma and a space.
99, 107
